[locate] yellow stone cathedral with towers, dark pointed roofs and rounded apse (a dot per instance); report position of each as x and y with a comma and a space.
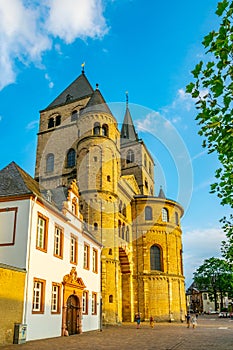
140, 232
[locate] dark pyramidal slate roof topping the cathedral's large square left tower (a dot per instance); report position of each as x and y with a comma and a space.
77, 90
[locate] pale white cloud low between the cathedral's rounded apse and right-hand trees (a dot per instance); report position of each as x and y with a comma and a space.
205, 243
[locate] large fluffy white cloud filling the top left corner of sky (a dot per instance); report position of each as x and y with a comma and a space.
28, 28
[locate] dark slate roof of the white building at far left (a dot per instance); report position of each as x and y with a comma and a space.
15, 181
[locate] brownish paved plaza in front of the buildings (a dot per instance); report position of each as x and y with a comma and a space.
211, 333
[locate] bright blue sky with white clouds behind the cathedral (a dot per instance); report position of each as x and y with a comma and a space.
146, 47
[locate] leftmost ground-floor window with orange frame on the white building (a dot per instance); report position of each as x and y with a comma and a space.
38, 296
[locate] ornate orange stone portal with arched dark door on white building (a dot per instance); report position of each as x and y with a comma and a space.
73, 287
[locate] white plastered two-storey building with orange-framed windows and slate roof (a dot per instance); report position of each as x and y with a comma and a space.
43, 233
